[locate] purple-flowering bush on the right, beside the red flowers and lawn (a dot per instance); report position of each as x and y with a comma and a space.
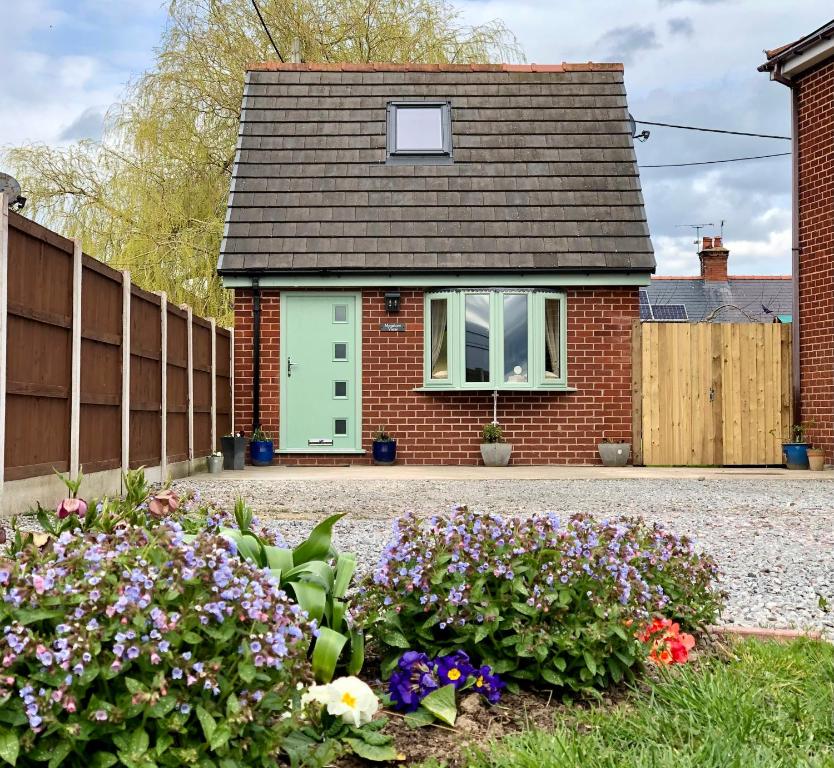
535, 598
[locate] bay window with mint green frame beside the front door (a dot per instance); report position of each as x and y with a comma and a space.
495, 339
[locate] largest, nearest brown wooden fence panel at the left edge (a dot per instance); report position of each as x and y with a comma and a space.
39, 280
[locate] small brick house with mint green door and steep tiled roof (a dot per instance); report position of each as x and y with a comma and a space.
407, 241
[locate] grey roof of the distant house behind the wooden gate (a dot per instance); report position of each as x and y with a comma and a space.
738, 300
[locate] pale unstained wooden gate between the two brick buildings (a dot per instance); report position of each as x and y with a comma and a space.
711, 393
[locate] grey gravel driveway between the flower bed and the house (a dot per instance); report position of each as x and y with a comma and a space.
774, 539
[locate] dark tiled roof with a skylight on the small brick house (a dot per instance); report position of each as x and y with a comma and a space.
544, 174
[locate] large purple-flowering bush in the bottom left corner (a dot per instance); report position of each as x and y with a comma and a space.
146, 647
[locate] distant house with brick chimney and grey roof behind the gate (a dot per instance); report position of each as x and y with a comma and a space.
716, 296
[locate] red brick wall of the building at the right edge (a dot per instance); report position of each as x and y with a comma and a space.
816, 259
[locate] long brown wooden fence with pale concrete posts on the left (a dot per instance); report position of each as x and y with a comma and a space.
99, 374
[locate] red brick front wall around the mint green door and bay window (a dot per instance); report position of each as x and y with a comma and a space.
443, 428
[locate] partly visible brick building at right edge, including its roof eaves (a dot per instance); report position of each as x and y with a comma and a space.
807, 68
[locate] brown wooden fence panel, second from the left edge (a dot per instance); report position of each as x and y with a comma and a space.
101, 367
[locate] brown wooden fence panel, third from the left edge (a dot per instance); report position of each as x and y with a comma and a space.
145, 379
